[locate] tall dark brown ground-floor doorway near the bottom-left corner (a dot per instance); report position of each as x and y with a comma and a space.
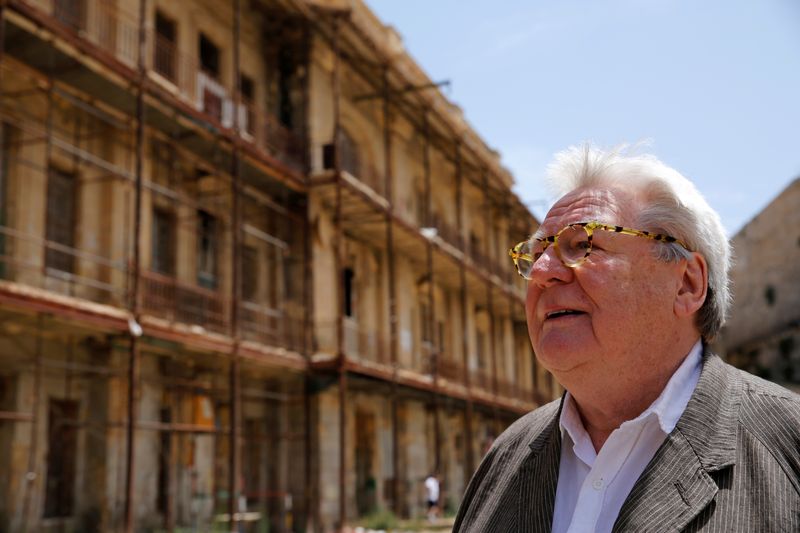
62, 449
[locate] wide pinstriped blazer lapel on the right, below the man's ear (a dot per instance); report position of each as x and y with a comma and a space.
678, 482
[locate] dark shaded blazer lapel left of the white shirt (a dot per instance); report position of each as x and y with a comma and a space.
537, 481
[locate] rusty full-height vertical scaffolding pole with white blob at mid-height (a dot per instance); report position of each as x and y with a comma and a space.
135, 329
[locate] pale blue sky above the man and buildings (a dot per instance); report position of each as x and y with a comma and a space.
712, 86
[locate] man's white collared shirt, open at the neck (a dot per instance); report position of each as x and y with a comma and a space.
593, 486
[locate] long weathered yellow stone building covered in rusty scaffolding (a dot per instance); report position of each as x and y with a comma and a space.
252, 265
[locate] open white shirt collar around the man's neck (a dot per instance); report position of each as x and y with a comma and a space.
667, 408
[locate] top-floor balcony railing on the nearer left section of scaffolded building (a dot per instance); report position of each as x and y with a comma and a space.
115, 31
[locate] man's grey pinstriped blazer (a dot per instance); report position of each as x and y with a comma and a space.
731, 464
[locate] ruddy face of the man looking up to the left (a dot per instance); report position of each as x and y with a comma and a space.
619, 301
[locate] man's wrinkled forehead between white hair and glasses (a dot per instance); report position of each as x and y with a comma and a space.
606, 205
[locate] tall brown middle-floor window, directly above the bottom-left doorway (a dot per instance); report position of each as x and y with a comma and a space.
60, 224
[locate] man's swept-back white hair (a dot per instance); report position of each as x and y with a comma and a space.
670, 204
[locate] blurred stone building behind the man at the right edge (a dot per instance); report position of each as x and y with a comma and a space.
763, 333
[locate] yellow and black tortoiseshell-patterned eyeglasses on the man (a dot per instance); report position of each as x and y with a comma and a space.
573, 244
